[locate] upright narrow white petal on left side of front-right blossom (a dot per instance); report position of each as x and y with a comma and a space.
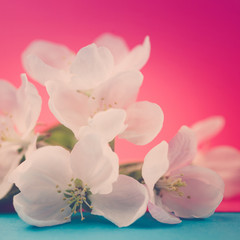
155, 164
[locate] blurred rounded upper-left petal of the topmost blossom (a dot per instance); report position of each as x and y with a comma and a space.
45, 61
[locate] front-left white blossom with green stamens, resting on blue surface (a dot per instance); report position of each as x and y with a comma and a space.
56, 184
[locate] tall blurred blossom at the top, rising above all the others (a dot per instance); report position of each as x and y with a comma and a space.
96, 79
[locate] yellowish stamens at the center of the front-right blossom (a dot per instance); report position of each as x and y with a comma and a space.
170, 184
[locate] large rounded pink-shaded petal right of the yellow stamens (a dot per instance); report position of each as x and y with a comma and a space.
201, 195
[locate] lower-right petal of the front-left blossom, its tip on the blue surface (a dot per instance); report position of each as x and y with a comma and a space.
124, 205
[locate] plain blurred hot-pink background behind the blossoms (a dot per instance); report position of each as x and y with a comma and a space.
193, 71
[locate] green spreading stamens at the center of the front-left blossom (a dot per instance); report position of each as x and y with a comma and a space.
77, 197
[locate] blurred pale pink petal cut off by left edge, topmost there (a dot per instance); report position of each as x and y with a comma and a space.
8, 100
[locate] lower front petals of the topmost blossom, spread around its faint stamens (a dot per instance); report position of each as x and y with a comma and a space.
75, 108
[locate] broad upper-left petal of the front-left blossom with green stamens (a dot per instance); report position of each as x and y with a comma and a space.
38, 176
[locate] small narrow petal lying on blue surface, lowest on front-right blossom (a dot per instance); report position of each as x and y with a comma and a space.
161, 215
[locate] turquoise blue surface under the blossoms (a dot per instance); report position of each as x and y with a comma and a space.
219, 226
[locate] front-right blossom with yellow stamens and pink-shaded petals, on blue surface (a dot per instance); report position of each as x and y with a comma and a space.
177, 188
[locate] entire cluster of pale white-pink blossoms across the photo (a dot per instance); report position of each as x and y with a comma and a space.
93, 93
